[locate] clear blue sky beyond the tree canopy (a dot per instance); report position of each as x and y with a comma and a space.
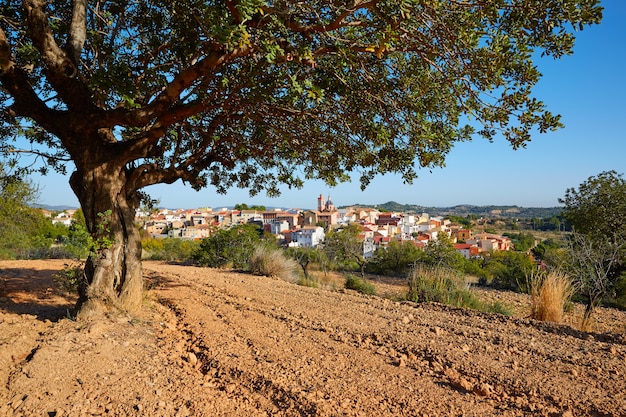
588, 89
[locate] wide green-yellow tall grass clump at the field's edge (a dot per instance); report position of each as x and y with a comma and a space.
441, 285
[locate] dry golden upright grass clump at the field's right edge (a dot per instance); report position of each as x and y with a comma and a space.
549, 294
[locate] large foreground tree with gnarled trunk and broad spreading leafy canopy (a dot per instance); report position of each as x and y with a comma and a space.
238, 93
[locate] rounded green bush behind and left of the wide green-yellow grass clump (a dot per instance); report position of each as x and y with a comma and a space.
396, 259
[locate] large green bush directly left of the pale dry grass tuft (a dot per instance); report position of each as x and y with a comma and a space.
233, 246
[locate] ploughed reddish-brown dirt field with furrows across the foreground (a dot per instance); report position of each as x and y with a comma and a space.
215, 343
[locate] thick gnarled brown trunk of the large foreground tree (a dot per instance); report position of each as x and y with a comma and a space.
113, 270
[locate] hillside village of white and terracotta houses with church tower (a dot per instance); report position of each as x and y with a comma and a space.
307, 228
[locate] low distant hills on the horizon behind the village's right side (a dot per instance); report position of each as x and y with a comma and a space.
467, 209
